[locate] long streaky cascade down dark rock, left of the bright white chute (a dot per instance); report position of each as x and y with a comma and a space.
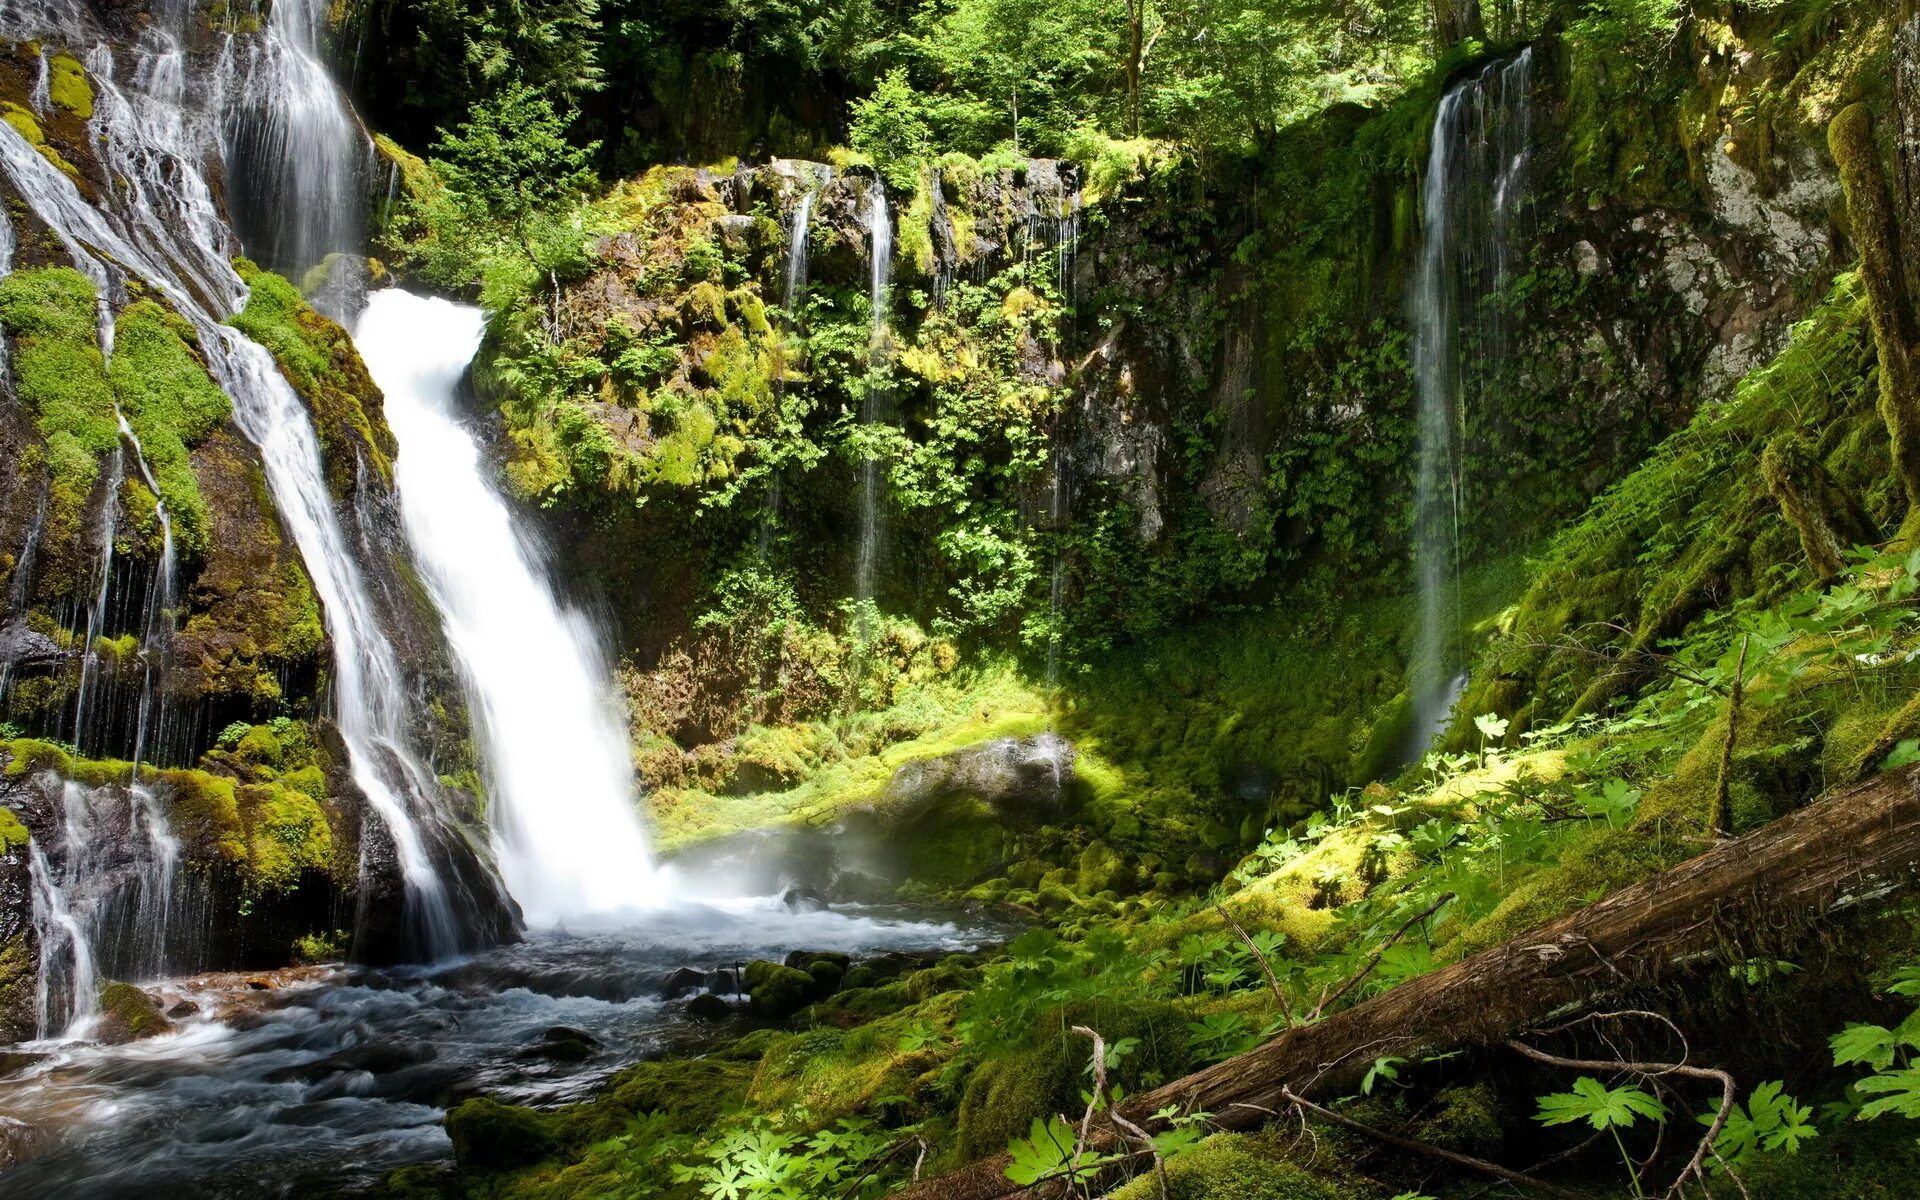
162, 229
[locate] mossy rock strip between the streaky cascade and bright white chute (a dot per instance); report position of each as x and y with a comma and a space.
320, 360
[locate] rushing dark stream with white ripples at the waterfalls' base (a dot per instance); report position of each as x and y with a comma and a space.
325, 1078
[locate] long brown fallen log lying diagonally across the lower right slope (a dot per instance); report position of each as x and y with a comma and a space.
1854, 848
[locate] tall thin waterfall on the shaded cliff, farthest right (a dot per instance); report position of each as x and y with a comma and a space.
1476, 183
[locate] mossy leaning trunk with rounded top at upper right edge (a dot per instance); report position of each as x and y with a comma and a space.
1879, 237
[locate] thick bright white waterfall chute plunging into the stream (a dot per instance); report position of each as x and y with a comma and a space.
560, 773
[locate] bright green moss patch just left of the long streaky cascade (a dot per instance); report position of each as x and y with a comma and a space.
172, 404
